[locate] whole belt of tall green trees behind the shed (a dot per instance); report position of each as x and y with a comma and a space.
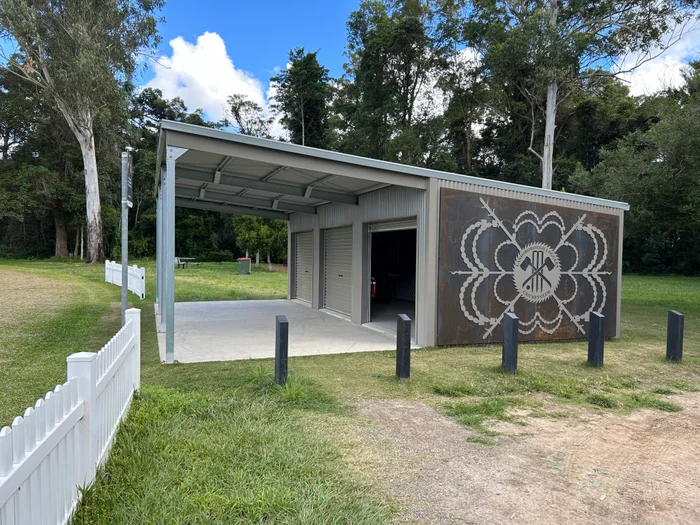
491, 88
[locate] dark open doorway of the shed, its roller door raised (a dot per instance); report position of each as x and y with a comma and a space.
393, 274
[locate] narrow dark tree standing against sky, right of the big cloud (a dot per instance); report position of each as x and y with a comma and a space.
302, 98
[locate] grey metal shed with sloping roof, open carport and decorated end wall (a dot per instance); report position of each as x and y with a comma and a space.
461, 251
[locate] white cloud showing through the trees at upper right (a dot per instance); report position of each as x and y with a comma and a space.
664, 71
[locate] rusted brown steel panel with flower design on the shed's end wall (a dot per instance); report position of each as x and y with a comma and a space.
550, 265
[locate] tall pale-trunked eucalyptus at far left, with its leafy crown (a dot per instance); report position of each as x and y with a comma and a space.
80, 53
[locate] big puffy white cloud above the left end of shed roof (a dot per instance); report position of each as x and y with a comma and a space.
203, 75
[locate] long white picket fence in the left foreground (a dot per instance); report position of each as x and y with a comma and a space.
59, 443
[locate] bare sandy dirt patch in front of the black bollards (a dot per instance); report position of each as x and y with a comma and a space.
638, 469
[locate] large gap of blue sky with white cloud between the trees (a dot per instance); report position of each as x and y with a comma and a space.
213, 49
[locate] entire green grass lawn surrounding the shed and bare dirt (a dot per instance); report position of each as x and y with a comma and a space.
220, 443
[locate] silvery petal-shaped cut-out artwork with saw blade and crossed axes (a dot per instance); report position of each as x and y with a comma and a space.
547, 270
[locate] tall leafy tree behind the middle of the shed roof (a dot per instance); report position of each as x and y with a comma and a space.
394, 48
